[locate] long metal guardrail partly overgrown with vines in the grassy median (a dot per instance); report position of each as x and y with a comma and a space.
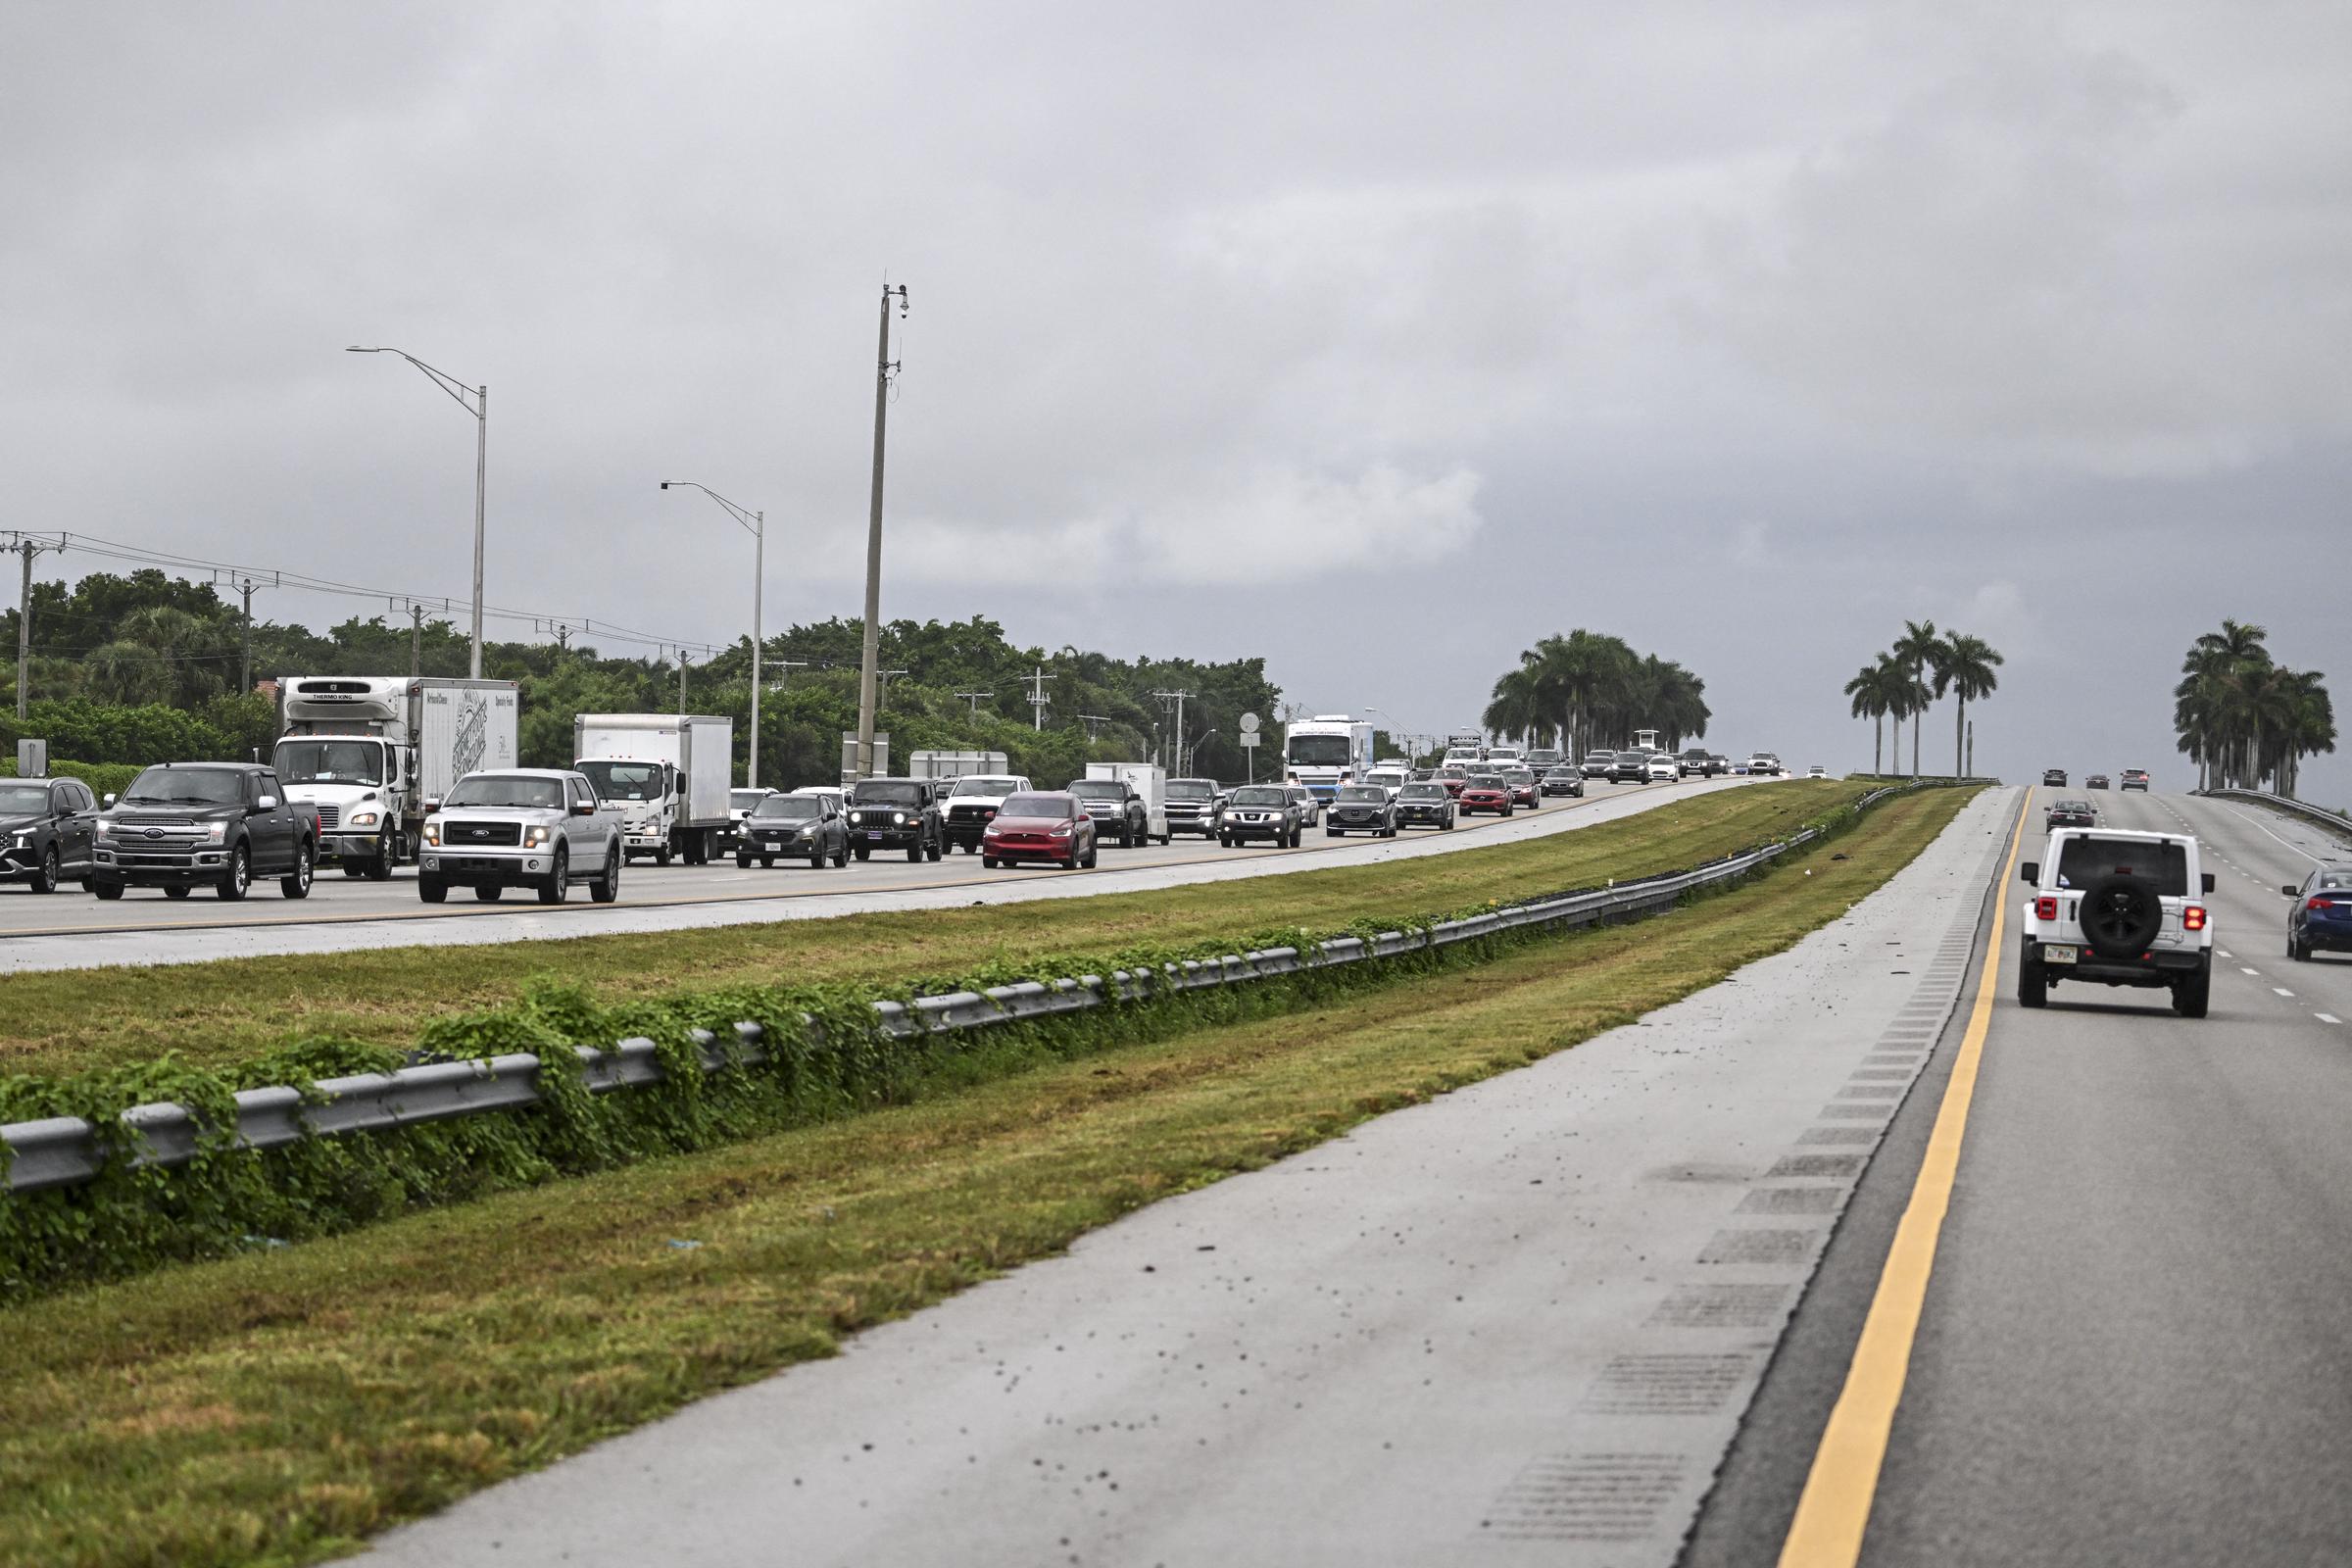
69, 1151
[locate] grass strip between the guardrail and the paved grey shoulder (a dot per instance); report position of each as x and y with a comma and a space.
286, 1405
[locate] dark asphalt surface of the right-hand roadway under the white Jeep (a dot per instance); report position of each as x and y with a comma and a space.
2137, 1343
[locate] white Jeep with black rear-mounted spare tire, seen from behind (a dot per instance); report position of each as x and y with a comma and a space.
2120, 909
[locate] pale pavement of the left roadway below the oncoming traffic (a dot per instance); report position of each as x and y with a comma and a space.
72, 930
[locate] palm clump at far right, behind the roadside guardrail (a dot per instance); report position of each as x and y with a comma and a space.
2245, 718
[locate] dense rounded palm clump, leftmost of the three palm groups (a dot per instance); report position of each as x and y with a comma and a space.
1591, 690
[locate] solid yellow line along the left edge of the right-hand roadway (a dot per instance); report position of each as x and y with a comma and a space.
1845, 1477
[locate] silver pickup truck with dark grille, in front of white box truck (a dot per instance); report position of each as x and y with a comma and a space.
535, 829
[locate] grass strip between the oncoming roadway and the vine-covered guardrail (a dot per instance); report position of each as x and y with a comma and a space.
229, 1012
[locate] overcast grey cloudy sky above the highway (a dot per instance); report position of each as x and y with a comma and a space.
1372, 340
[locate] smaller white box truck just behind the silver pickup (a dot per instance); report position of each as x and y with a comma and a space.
667, 775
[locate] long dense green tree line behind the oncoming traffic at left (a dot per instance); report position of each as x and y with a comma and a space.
147, 669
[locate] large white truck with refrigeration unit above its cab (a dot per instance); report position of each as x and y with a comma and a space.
370, 751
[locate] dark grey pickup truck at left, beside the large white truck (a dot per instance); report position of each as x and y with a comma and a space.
206, 824
